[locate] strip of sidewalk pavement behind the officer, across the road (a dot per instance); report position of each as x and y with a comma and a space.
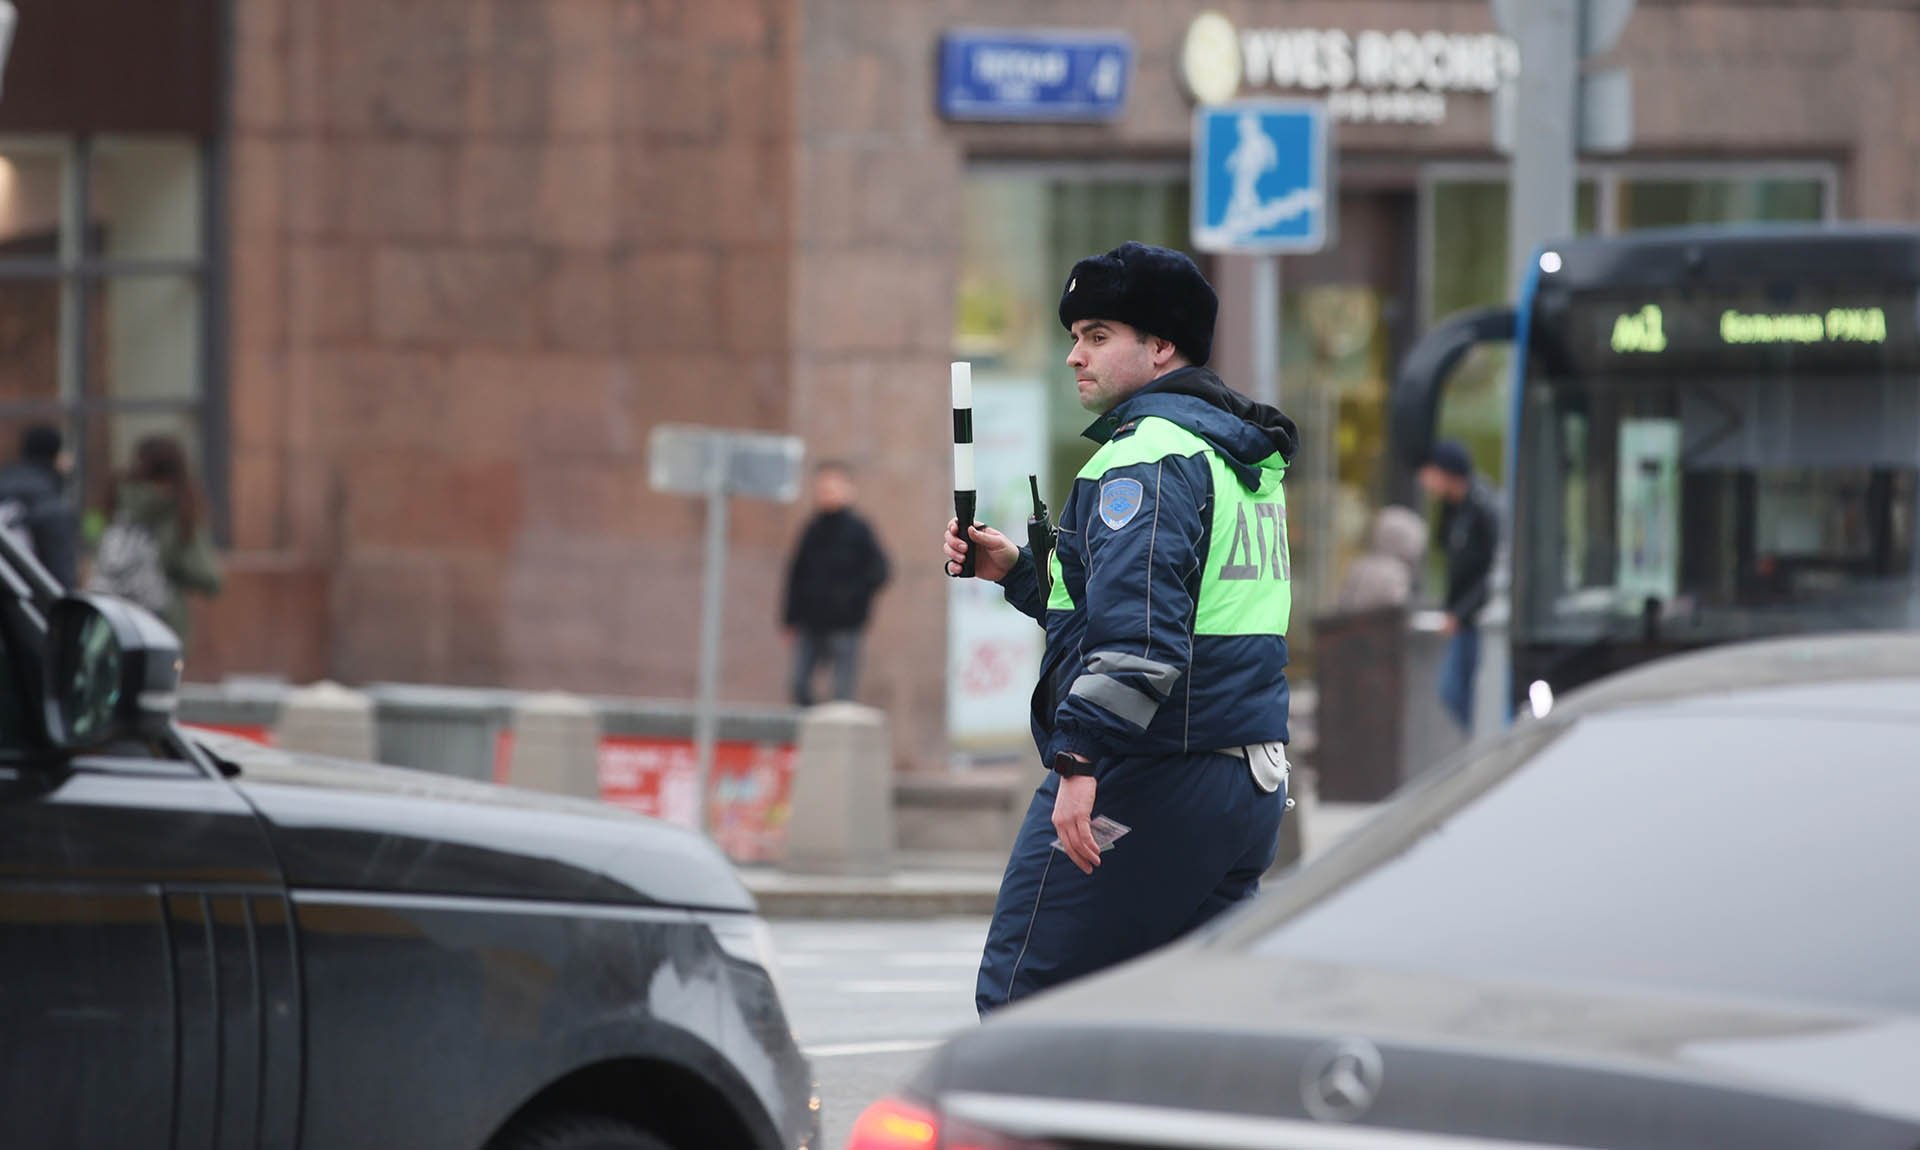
949, 884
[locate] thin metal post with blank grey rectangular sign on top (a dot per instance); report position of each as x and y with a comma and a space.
719, 464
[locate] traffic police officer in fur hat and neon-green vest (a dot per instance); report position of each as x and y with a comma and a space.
1163, 698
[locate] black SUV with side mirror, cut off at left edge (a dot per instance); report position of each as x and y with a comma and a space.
210, 944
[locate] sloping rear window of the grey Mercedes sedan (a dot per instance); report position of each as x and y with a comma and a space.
1685, 851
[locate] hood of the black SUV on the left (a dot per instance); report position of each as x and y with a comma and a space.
356, 827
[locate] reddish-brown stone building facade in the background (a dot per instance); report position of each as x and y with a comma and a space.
460, 258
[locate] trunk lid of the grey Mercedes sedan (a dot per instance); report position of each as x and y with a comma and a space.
1216, 1030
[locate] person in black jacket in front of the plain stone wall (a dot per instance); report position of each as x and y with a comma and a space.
838, 567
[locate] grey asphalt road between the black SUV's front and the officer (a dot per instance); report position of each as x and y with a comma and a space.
869, 999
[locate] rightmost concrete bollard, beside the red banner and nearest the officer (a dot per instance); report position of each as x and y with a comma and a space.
842, 792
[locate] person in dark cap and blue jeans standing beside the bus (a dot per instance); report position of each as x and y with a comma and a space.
1470, 531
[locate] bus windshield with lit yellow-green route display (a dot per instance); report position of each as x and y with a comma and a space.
1706, 466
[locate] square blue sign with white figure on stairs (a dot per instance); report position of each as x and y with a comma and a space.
1260, 178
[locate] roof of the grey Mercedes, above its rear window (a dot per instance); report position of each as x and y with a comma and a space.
1833, 673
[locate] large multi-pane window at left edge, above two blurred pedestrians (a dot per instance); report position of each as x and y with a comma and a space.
103, 295
